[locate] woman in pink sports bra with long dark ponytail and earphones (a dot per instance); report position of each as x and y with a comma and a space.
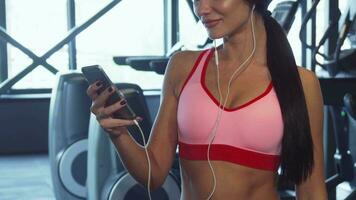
271, 113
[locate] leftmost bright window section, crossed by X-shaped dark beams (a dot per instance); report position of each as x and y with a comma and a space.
37, 25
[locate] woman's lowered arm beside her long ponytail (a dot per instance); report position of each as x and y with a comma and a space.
314, 187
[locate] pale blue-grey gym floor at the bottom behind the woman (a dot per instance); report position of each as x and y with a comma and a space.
27, 177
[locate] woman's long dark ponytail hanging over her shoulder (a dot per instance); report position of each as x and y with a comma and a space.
297, 159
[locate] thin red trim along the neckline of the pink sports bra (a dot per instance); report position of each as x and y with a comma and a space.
202, 82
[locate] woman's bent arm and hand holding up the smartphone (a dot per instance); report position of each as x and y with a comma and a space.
163, 139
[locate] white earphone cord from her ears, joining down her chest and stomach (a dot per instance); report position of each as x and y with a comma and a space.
238, 71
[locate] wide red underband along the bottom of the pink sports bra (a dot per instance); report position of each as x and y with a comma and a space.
230, 154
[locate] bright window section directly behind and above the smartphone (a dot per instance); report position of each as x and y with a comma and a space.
132, 28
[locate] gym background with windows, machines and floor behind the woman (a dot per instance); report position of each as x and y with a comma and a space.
51, 146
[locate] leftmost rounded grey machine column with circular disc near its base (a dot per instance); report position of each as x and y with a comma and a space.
68, 133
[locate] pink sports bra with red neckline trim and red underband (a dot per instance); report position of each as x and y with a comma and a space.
249, 135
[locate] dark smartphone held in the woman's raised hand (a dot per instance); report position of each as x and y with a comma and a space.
95, 73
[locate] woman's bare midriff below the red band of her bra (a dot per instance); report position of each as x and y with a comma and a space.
233, 181
